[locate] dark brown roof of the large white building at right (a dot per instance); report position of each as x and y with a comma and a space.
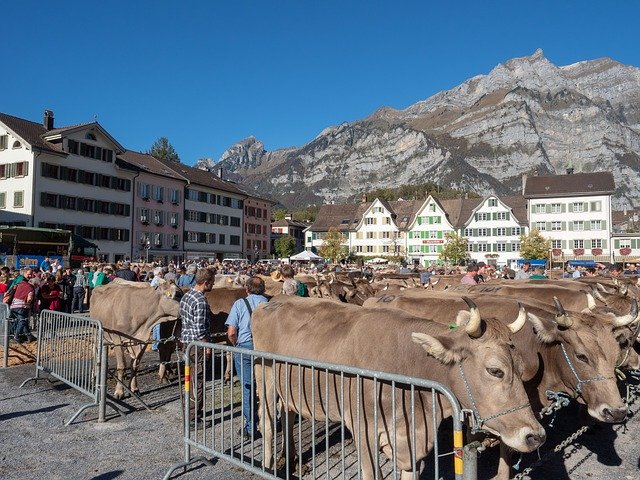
596, 183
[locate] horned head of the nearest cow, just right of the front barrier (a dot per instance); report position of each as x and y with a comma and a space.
482, 357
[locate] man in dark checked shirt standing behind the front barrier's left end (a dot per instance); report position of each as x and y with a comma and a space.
196, 320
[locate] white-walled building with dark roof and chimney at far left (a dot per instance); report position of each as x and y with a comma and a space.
66, 178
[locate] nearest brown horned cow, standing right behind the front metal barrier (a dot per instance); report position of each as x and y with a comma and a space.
389, 341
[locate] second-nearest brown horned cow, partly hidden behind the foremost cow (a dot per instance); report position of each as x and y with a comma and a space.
555, 346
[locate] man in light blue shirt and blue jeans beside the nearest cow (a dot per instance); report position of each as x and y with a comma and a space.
239, 334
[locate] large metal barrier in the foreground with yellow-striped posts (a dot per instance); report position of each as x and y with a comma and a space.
322, 449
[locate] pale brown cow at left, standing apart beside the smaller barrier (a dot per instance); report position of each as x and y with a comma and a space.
128, 311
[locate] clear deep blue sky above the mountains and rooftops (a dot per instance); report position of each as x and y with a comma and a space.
206, 74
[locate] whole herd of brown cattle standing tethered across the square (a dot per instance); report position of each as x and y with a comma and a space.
499, 346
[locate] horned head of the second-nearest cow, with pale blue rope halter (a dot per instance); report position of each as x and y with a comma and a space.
586, 353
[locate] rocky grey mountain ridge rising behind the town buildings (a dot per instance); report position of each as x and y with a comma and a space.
525, 116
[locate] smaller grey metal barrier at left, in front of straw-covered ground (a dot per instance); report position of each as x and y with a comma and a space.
71, 349
